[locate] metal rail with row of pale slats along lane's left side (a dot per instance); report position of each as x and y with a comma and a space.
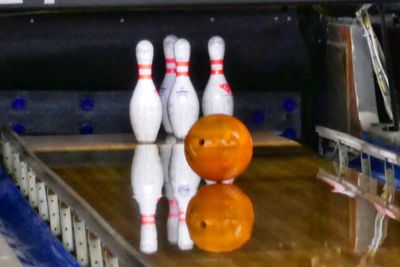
69, 215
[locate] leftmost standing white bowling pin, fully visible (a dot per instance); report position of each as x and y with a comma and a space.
145, 106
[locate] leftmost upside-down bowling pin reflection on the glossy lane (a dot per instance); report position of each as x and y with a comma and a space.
147, 179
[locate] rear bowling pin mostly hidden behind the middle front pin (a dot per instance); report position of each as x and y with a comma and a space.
169, 79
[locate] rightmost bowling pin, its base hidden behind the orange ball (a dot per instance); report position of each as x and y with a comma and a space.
217, 97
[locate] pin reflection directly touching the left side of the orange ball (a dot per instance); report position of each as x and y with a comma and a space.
184, 184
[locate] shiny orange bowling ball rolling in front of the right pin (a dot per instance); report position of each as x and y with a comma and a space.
218, 147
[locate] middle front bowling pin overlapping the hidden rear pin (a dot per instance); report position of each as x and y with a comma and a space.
183, 104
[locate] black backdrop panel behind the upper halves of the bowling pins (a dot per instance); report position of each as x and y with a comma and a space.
95, 50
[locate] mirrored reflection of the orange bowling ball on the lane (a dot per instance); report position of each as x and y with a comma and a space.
220, 218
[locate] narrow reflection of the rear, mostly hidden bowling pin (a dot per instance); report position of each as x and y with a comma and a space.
172, 223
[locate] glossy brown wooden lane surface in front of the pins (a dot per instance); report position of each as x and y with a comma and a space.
298, 220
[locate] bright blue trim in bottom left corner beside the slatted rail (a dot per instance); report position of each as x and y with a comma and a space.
25, 231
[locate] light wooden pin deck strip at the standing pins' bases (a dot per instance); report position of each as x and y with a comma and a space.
124, 141
